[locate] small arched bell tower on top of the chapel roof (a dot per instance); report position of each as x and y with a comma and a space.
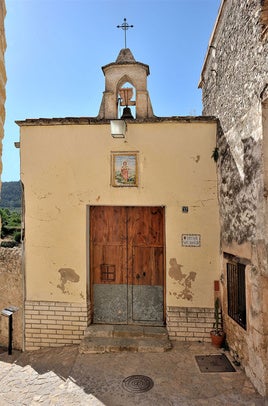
135, 97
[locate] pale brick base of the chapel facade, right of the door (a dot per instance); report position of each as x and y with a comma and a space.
190, 323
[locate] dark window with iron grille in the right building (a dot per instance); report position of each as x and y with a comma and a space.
236, 292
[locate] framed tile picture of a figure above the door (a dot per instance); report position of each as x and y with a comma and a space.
124, 169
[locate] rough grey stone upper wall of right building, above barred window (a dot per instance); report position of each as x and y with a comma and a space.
233, 82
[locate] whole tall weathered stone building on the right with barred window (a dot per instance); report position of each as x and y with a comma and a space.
234, 83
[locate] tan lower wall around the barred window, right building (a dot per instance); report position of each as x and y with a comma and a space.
249, 345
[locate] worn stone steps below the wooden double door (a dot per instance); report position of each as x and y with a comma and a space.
116, 338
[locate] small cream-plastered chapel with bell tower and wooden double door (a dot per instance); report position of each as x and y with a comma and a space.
121, 217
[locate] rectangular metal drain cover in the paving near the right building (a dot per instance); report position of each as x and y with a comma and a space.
214, 363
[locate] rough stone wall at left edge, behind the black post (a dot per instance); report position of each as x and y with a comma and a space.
11, 293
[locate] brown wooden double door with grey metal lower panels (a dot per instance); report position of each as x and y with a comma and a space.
127, 264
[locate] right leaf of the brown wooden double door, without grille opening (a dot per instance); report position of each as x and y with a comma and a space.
145, 241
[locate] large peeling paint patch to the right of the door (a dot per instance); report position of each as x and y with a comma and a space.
182, 280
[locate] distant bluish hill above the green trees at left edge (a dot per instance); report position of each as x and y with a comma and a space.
10, 196
